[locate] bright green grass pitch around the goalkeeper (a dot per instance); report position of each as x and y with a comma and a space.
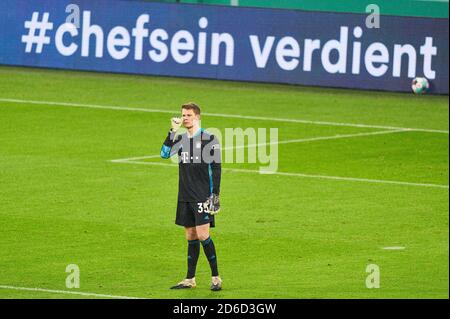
278, 236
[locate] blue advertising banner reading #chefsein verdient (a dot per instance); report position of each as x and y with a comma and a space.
231, 43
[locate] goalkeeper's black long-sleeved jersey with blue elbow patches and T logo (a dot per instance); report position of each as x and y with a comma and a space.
199, 164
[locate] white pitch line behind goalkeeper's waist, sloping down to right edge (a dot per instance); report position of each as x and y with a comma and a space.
336, 178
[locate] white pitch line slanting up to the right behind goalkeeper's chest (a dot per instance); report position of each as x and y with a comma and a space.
301, 140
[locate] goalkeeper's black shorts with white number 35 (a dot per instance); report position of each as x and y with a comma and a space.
192, 214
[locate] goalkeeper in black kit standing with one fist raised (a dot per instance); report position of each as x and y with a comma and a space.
198, 189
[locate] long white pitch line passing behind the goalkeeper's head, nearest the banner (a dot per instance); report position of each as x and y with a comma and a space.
274, 119
